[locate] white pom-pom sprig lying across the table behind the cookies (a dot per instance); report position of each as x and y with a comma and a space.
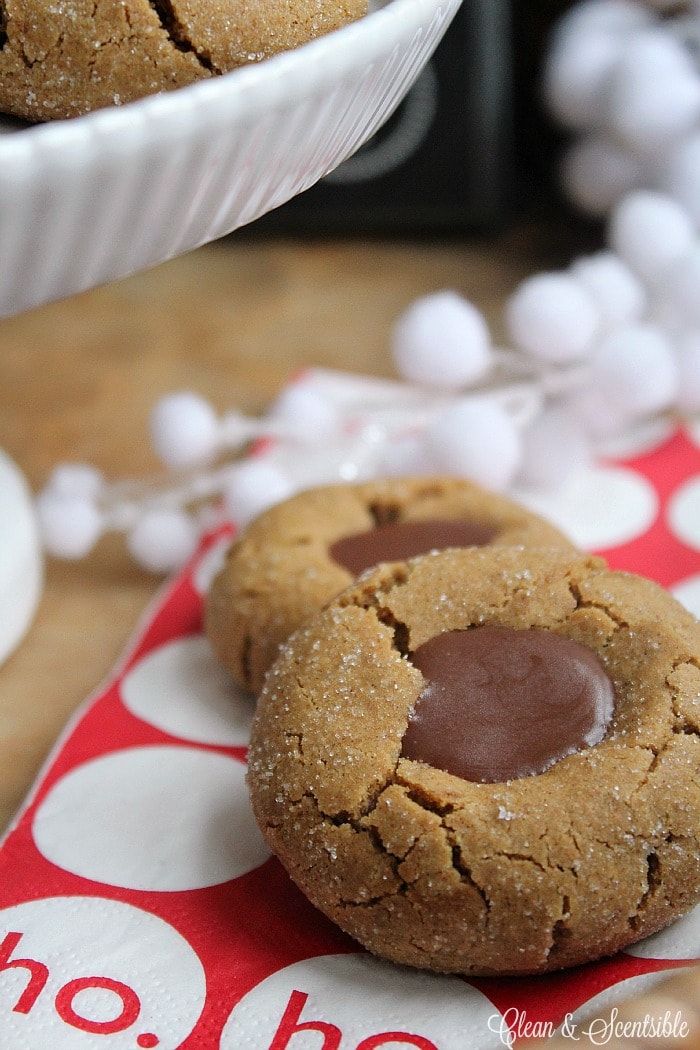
592, 352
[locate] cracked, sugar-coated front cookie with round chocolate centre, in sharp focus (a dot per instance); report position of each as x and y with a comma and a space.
548, 817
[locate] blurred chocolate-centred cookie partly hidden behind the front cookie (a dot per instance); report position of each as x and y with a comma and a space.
301, 554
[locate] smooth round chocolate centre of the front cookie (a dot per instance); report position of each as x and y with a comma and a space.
501, 704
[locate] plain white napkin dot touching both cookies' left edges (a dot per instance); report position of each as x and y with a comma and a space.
182, 689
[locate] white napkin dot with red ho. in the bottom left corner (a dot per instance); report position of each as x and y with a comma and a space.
104, 975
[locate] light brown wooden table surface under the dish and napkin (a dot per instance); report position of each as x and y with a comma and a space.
232, 322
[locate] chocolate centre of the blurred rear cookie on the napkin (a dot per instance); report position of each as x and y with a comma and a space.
397, 541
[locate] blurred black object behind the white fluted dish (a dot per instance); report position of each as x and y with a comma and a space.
468, 148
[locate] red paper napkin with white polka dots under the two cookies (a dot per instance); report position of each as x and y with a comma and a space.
141, 909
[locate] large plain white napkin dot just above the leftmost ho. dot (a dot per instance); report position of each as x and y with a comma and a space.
153, 818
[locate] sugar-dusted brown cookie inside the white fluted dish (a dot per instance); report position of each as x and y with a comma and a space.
63, 60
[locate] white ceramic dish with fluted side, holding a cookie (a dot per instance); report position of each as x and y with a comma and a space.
95, 199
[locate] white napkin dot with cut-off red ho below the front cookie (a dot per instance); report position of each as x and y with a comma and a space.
363, 998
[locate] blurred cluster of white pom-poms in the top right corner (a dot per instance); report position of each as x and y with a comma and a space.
623, 77
